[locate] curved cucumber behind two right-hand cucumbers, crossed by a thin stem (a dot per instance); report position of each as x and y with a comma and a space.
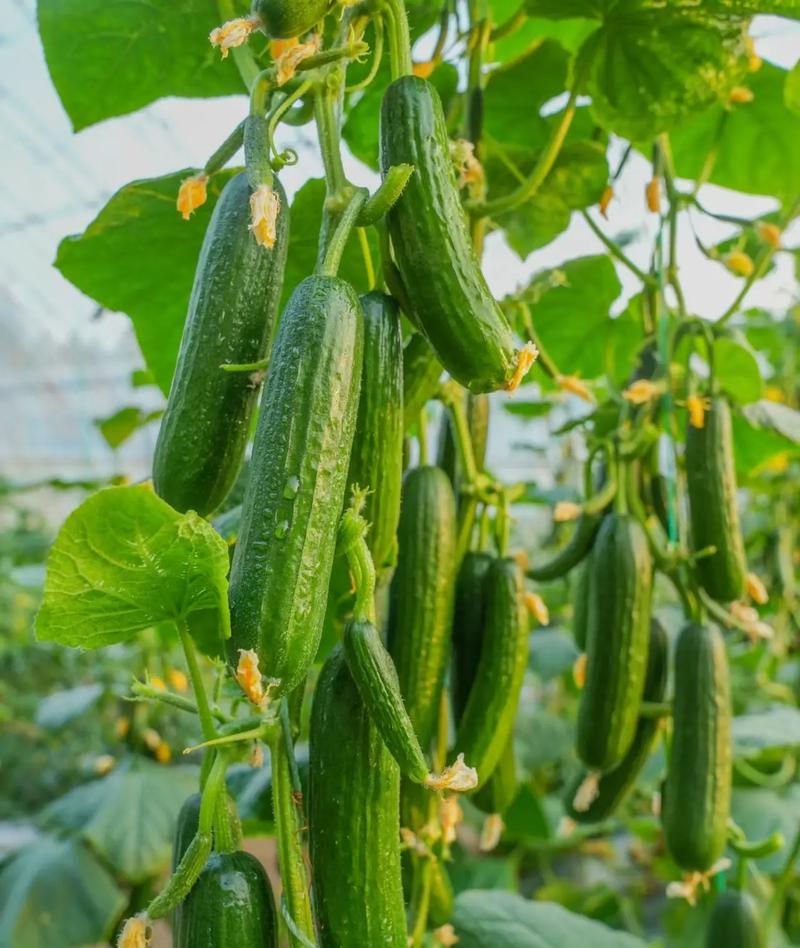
615, 785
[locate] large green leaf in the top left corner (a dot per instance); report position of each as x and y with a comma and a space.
109, 57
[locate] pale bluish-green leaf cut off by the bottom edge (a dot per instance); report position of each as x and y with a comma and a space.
489, 919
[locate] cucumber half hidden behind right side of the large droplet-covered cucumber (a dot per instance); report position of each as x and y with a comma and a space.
376, 461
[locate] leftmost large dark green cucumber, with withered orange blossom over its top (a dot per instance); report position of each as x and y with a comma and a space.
237, 285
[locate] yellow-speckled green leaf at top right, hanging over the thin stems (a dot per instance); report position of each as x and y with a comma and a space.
648, 71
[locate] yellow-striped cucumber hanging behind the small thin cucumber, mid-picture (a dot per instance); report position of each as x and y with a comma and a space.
421, 596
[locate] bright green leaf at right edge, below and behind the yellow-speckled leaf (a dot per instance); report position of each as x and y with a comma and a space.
757, 149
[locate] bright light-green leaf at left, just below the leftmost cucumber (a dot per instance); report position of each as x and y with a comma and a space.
123, 562
